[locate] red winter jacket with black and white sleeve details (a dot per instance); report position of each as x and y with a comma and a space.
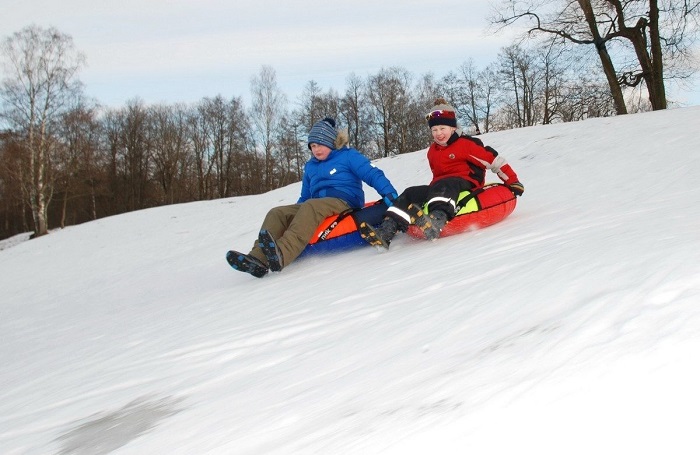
466, 157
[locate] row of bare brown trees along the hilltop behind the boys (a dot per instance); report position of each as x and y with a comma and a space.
105, 161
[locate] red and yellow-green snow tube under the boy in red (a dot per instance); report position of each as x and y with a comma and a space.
479, 208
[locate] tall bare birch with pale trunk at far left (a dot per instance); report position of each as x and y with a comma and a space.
41, 67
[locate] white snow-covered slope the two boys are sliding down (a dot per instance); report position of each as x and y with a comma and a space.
572, 327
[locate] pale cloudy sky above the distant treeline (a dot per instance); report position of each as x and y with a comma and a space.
183, 50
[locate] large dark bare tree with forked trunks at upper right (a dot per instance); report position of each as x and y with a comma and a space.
655, 32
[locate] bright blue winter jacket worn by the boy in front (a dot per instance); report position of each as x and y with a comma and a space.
341, 175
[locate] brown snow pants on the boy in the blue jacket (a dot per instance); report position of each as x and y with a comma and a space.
293, 225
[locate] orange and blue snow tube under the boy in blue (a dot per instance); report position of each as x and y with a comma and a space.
339, 232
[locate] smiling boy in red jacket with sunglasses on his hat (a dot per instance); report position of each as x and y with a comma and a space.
458, 164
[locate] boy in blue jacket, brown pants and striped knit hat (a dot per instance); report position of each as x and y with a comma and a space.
332, 183
